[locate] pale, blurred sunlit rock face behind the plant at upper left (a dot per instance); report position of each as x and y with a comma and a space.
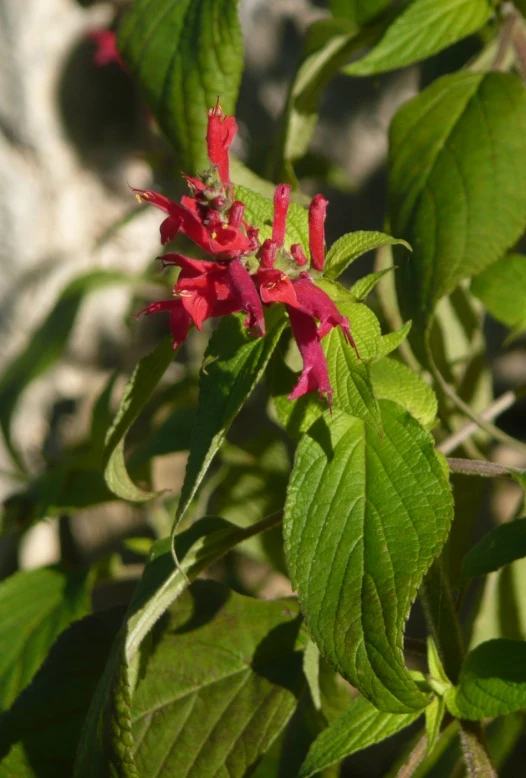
68, 134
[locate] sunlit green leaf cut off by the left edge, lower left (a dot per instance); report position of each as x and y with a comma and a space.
35, 607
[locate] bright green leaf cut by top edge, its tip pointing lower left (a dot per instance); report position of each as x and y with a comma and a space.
422, 29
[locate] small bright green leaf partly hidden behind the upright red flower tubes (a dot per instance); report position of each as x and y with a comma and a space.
259, 211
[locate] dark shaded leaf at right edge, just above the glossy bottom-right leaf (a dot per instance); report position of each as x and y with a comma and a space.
503, 545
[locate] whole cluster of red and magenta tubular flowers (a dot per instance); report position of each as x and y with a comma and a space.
244, 273
